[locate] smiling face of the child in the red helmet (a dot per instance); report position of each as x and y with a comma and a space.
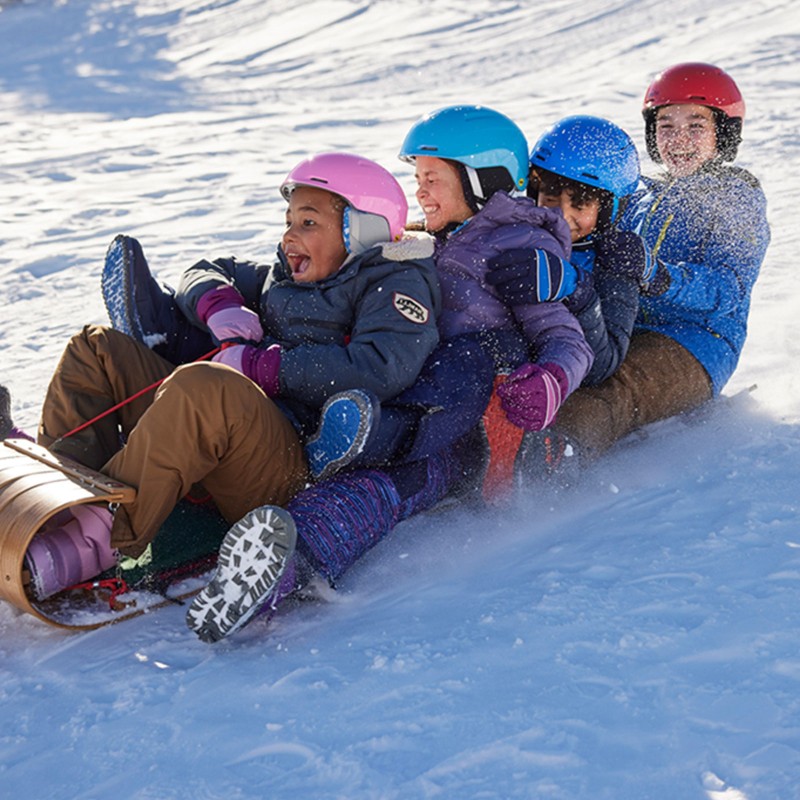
686, 137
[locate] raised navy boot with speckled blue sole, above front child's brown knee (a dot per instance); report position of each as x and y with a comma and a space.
145, 309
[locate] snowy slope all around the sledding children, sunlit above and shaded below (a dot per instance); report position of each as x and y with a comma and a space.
639, 638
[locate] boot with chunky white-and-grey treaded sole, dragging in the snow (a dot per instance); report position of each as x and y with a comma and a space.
256, 568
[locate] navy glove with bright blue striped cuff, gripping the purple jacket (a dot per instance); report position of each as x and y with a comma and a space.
529, 276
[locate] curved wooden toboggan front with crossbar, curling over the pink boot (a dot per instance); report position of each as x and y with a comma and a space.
35, 485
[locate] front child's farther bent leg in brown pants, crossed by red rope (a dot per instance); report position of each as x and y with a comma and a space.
99, 368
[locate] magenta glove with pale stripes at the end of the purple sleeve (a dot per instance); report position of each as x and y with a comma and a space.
532, 395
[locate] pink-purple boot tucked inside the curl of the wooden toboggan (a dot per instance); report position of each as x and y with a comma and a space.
74, 552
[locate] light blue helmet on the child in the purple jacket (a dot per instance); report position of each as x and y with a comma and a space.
491, 148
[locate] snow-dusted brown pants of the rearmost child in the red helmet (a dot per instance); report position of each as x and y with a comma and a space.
658, 379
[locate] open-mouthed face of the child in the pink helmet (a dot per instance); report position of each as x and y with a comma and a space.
312, 242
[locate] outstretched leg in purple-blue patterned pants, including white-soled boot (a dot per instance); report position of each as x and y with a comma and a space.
331, 525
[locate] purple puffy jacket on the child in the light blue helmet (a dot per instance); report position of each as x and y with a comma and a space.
470, 304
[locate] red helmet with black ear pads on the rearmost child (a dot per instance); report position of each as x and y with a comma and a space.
704, 85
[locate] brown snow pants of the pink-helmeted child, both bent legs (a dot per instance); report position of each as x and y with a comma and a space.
205, 424
